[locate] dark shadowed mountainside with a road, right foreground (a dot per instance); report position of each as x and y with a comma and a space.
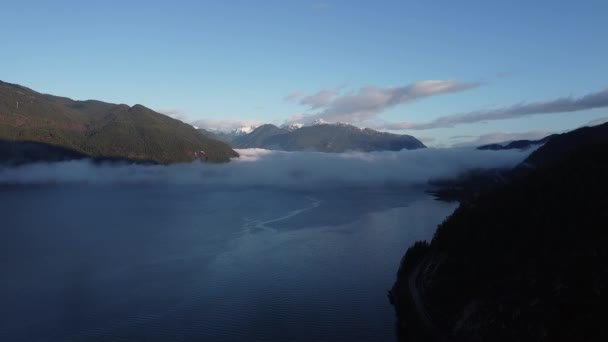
524, 261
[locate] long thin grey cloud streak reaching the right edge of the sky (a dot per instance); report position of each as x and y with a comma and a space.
561, 105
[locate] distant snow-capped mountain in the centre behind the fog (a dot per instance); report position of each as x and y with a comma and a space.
325, 138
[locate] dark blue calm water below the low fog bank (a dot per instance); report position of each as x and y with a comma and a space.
183, 263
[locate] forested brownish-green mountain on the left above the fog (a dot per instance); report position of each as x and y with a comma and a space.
99, 130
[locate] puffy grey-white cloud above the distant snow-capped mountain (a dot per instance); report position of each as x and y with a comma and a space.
368, 102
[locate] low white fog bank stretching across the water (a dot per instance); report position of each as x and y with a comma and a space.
256, 167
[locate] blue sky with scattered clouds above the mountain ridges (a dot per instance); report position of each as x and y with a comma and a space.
448, 72
